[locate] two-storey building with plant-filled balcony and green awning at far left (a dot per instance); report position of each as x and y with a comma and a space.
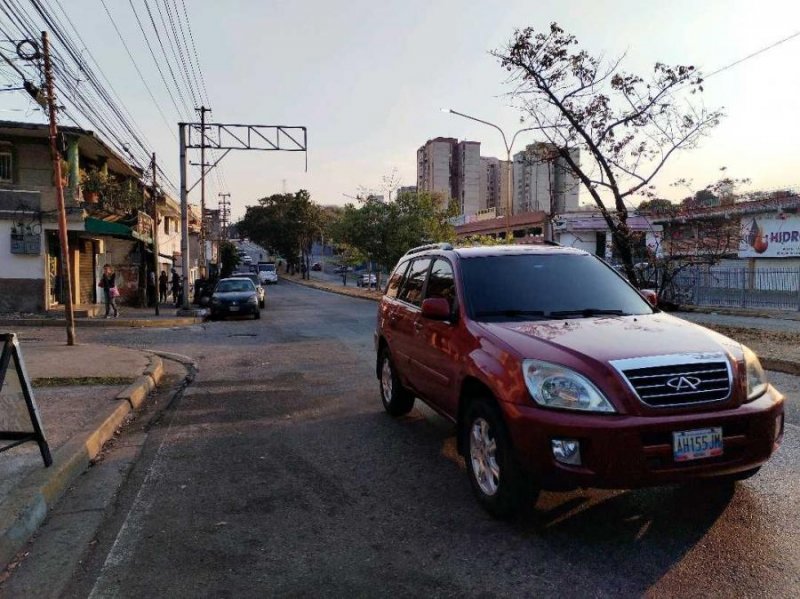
113, 229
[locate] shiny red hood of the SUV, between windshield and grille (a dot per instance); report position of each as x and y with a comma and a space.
612, 338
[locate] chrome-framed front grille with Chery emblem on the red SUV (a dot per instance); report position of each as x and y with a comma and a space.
689, 379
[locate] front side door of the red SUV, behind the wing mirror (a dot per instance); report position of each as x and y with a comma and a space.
434, 354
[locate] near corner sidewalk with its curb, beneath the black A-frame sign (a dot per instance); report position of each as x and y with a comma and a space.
84, 393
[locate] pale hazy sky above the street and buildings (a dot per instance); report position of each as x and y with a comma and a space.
369, 78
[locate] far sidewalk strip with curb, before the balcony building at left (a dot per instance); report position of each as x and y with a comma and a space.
129, 317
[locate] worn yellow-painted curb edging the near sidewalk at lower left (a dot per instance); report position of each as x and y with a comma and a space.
28, 504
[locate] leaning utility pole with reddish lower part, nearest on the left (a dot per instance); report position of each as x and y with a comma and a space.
62, 213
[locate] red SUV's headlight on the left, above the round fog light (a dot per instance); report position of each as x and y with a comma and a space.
555, 386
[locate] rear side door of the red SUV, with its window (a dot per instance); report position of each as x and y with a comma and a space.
404, 322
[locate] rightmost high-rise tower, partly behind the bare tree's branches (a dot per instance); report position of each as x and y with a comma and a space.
543, 181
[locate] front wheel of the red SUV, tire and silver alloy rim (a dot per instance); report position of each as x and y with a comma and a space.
498, 482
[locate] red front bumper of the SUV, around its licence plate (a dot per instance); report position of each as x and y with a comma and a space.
620, 451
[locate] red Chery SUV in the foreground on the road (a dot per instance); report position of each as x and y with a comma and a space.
559, 374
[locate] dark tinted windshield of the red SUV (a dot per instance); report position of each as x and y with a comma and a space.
531, 286
